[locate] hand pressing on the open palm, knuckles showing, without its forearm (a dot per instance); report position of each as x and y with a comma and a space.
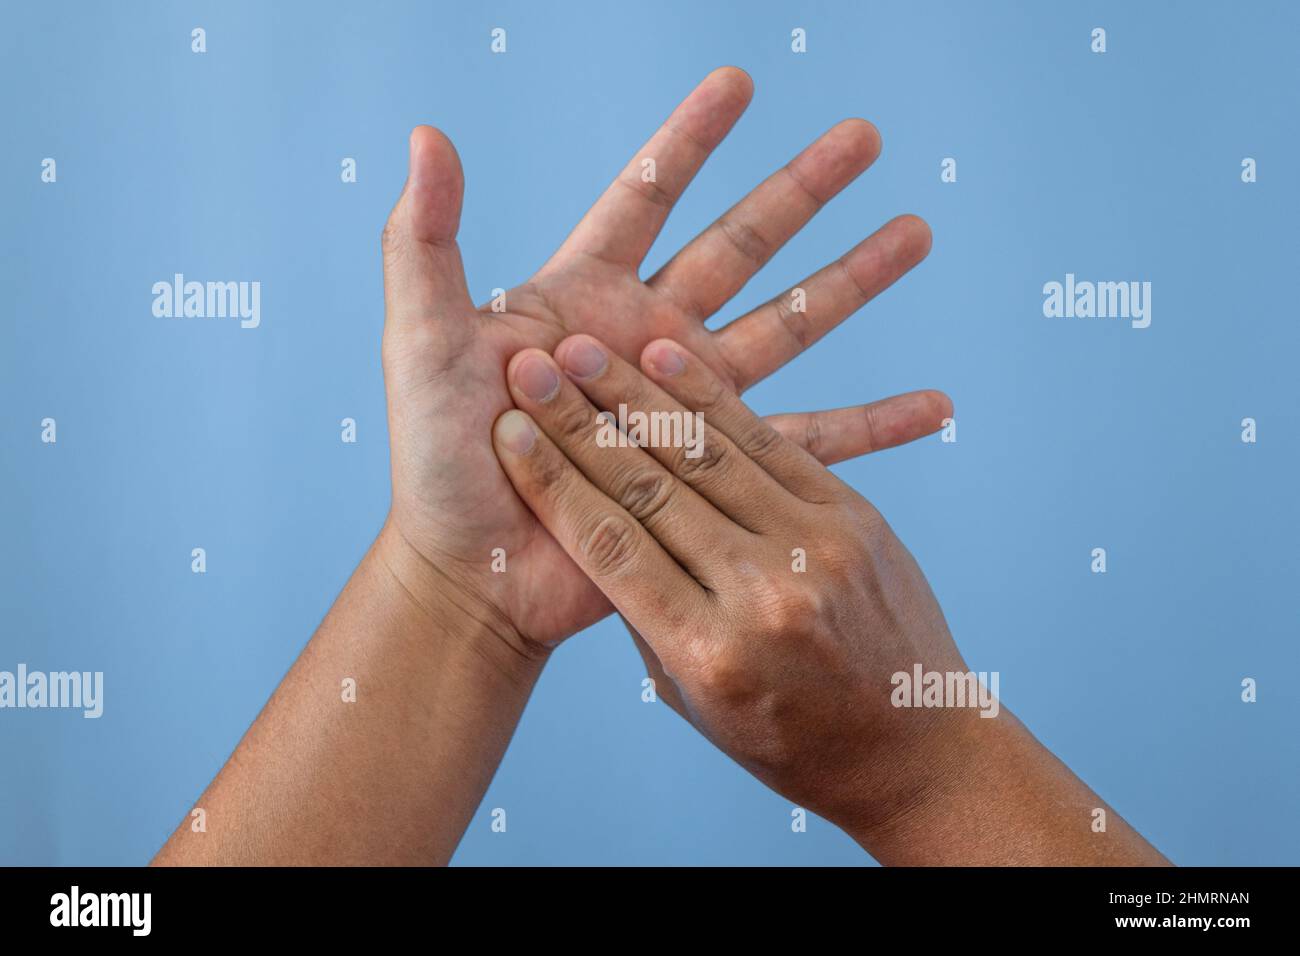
773, 604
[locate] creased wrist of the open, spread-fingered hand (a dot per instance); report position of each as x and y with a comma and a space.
454, 608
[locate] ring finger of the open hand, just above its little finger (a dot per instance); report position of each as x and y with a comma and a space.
760, 343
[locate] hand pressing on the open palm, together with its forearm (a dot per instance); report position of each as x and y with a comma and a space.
788, 672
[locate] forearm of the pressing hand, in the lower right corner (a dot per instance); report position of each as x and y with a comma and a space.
989, 794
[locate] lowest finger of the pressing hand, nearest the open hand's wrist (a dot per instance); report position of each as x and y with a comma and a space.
619, 556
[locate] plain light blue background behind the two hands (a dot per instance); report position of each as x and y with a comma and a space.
1072, 434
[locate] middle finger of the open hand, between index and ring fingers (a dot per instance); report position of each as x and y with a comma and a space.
718, 263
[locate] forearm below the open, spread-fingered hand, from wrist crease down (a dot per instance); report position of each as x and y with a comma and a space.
392, 777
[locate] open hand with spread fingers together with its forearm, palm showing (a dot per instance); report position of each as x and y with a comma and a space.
443, 650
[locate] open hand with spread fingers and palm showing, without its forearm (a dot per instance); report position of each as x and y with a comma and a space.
444, 358
